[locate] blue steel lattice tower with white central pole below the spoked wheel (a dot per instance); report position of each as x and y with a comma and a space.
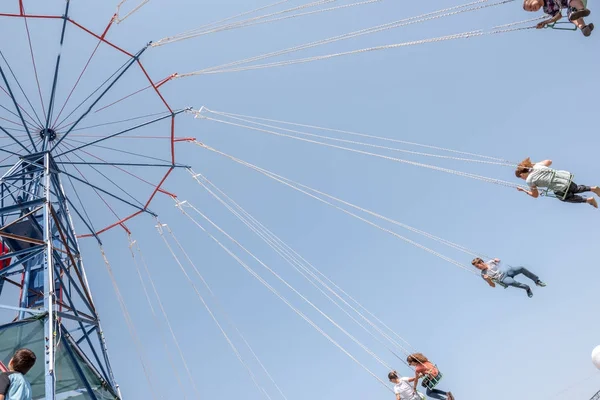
40, 236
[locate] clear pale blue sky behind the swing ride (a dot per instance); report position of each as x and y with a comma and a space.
529, 93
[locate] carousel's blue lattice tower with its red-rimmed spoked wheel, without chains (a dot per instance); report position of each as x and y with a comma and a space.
45, 298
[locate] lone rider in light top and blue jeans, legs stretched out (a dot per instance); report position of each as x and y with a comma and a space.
493, 272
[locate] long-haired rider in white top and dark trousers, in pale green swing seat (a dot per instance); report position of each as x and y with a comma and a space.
541, 175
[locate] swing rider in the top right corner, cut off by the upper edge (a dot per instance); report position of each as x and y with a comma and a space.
576, 11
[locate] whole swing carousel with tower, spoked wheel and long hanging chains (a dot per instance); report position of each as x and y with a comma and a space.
91, 149
